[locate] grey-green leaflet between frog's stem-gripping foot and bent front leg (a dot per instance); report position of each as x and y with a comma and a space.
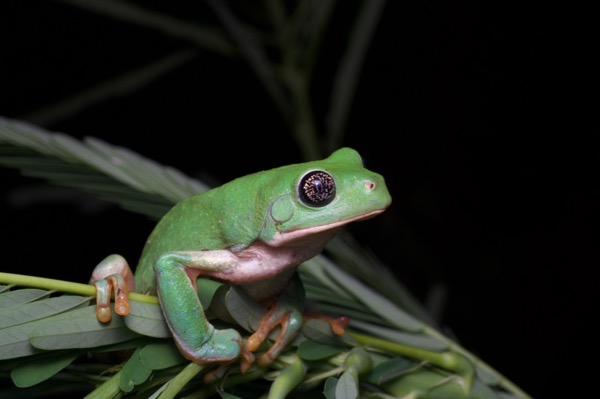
147, 319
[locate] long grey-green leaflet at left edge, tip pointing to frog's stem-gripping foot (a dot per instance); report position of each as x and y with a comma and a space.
39, 309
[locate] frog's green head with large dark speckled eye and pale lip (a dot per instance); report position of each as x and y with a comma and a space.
318, 197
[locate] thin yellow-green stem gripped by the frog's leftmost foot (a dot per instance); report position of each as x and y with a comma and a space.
64, 286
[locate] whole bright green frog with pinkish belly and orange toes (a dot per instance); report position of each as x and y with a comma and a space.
253, 232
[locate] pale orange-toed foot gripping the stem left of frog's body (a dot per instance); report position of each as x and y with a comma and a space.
112, 275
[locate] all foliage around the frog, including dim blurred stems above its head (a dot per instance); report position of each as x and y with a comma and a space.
392, 348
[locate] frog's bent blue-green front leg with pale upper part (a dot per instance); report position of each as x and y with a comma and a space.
196, 338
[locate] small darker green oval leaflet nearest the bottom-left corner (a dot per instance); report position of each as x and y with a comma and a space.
29, 373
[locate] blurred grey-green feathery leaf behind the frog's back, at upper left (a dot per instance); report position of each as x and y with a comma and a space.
114, 173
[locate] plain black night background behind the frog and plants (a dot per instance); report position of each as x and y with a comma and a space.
476, 114
